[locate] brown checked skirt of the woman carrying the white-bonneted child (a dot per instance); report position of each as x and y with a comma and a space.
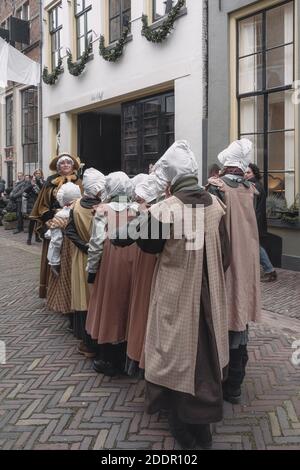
59, 288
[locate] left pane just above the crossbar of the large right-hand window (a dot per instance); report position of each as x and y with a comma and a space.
250, 74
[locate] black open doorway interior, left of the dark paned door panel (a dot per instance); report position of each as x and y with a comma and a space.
99, 141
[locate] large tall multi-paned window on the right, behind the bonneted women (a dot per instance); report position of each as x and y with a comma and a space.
265, 87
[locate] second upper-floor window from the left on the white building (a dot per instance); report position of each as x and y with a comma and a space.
83, 12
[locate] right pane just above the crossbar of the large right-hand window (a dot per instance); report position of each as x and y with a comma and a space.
280, 70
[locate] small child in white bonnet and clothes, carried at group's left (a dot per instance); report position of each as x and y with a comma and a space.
66, 195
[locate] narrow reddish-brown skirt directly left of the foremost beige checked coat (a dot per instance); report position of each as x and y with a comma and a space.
139, 305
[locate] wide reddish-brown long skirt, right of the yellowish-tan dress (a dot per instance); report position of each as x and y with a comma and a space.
110, 297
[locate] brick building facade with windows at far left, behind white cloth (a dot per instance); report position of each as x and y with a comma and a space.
19, 110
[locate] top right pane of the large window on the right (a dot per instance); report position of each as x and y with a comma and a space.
280, 25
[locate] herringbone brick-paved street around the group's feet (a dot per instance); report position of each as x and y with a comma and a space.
51, 398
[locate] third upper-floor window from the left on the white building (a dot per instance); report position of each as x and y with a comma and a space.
119, 18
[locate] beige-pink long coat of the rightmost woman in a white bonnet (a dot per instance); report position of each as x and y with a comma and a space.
243, 275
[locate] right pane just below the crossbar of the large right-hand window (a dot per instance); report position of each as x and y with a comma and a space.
281, 111
